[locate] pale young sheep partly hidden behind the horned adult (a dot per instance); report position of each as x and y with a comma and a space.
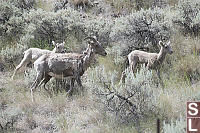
32, 54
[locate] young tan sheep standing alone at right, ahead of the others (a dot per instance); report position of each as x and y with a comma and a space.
151, 60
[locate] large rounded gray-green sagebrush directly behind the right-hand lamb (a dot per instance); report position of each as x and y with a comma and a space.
142, 29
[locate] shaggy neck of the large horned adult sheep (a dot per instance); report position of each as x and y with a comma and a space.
89, 56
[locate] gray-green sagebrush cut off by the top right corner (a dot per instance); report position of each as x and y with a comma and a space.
188, 18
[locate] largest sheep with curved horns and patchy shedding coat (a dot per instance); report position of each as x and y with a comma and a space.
65, 65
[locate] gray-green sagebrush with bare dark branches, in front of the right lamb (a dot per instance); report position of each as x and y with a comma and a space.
129, 101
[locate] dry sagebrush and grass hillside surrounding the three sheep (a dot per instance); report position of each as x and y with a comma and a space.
105, 105
